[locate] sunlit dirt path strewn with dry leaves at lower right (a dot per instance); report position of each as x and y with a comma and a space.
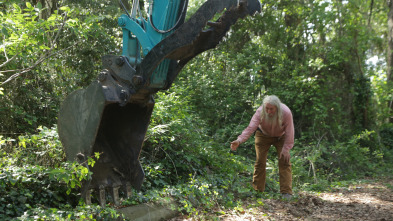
369, 200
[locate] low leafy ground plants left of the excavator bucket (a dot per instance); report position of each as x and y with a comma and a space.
49, 191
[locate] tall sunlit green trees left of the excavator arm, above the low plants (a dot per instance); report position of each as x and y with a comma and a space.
49, 52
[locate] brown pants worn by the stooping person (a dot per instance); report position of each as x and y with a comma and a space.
262, 145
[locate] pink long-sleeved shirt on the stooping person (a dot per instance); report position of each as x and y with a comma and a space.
287, 127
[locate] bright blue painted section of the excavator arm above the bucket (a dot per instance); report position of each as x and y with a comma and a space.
140, 35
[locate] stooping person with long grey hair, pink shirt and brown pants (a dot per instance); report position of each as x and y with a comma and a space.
273, 124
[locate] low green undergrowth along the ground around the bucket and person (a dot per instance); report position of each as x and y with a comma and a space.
203, 178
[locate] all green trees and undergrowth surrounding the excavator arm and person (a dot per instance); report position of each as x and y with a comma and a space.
325, 59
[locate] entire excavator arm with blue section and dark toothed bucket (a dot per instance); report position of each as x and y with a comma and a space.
112, 114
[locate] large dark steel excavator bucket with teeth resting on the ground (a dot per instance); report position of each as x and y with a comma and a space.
89, 124
